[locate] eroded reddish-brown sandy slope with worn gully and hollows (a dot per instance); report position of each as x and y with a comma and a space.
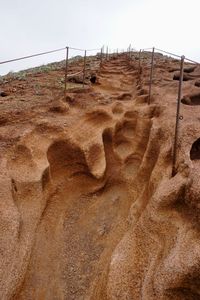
88, 207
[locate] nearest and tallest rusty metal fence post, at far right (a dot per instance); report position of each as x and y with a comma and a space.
177, 116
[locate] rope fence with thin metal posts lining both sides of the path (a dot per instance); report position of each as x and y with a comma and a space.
106, 55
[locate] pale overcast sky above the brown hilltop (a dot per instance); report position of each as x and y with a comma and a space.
33, 26
